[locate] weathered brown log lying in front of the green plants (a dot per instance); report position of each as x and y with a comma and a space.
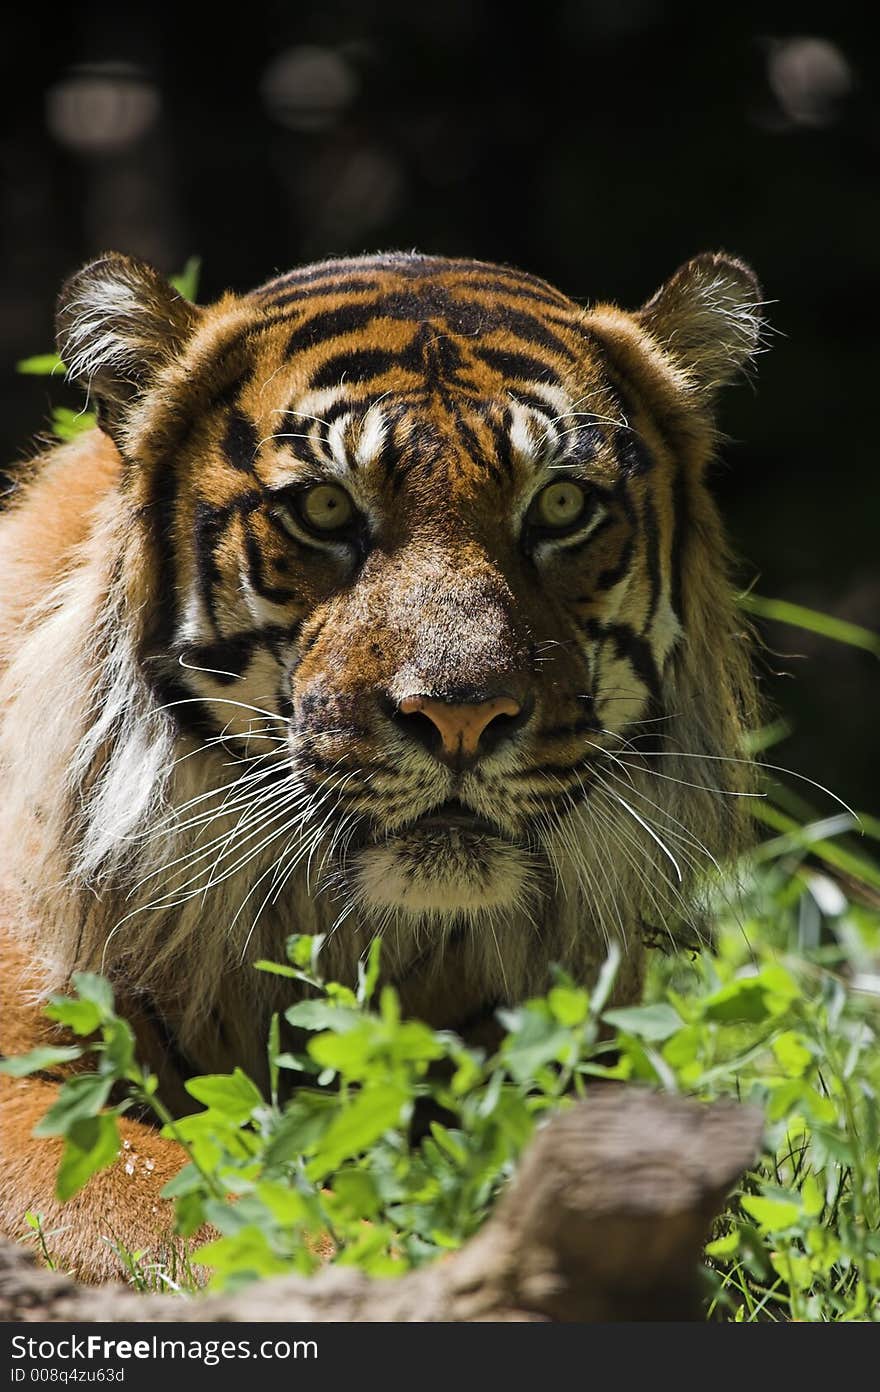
604, 1221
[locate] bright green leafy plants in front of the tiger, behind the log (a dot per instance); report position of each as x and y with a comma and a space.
783, 1013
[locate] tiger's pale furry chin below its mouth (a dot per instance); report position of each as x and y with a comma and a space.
443, 872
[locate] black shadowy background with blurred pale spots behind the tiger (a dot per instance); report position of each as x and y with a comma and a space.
597, 144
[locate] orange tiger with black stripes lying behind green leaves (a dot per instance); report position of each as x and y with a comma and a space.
389, 599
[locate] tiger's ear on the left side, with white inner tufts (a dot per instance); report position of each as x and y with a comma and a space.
118, 324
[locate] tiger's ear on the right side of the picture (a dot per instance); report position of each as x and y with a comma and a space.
708, 319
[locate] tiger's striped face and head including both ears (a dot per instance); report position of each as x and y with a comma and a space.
421, 549
